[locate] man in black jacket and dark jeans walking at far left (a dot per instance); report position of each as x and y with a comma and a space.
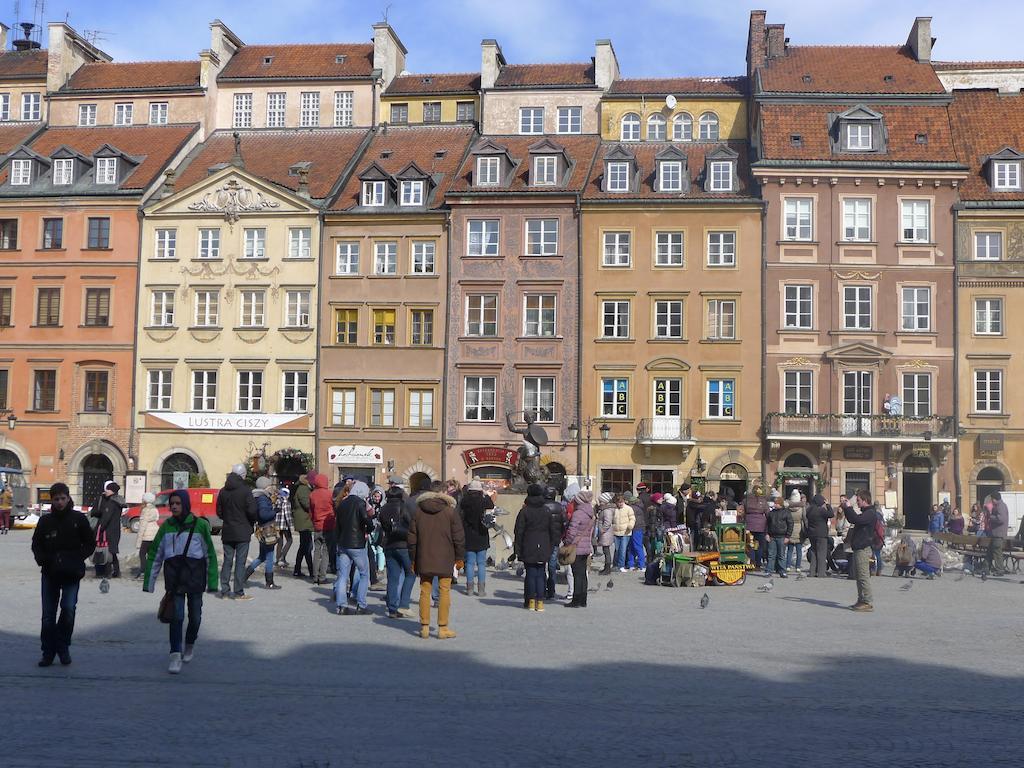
61, 543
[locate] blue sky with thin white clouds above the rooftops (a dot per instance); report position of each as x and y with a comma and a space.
653, 38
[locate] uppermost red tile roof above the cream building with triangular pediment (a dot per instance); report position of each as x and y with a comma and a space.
312, 61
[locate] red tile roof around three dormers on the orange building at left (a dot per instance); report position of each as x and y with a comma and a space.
155, 146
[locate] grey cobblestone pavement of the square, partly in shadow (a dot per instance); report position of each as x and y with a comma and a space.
644, 677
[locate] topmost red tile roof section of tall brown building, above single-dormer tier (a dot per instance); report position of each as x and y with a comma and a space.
855, 69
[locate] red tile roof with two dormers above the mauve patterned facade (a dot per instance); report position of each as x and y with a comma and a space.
581, 152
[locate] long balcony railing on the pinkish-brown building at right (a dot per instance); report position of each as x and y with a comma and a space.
865, 428
